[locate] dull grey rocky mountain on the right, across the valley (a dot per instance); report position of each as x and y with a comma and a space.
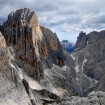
90, 60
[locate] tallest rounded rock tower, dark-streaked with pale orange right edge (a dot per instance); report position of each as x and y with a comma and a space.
22, 31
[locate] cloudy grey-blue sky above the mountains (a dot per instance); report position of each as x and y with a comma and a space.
65, 17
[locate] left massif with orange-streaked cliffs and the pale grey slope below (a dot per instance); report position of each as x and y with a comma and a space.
35, 48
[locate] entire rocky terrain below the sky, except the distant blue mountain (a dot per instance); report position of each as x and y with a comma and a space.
36, 70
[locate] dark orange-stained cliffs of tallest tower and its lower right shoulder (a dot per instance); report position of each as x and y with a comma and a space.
22, 31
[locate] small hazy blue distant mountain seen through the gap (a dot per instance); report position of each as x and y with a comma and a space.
69, 46
